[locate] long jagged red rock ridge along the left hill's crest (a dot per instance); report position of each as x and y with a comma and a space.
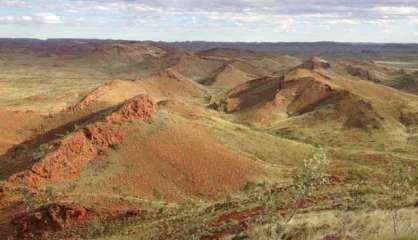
69, 155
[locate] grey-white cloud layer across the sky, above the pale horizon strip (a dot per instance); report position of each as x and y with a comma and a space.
218, 15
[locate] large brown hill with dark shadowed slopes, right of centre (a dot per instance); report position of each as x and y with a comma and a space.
302, 90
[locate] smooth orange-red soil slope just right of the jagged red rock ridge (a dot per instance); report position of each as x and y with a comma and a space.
180, 162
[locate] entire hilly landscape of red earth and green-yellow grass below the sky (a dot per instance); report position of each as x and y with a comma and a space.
137, 140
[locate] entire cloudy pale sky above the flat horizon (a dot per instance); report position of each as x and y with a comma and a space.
213, 20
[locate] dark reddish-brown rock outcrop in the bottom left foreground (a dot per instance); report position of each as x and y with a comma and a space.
50, 218
